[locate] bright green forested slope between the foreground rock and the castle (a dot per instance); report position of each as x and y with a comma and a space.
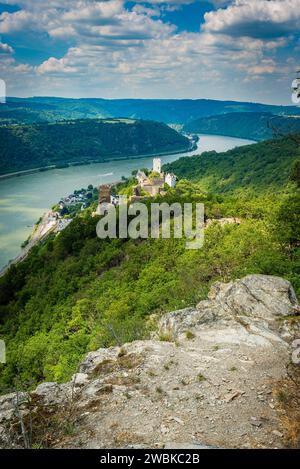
75, 292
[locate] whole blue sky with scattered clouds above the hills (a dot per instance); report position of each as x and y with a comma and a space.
245, 50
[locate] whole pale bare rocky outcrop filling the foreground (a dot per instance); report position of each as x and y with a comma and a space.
205, 380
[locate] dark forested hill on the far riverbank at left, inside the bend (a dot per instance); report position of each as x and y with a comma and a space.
39, 145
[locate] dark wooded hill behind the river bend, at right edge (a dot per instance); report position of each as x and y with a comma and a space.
254, 125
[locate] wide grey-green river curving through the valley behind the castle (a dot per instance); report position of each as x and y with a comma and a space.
24, 199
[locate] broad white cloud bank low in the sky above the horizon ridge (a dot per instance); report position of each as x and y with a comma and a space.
176, 63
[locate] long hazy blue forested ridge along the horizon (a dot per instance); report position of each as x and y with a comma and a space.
170, 111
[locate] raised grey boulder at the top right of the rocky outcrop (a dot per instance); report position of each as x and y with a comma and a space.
260, 297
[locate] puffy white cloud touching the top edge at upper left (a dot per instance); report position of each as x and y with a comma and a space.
84, 19
